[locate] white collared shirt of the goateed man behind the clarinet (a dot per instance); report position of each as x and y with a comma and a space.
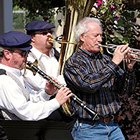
48, 64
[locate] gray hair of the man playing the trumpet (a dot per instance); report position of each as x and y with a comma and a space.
81, 27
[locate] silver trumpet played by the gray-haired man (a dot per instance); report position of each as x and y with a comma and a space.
111, 47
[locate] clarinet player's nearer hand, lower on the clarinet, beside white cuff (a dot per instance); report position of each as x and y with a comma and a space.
63, 95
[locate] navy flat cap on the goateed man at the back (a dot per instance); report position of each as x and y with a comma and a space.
38, 25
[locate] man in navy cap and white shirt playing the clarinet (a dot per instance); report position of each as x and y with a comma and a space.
17, 100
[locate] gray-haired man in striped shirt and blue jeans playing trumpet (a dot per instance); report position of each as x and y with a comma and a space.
98, 80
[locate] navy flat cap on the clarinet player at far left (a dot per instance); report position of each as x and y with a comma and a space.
15, 39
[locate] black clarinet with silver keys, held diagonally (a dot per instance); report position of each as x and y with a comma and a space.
92, 113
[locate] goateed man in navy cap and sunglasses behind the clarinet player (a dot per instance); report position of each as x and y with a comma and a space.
45, 54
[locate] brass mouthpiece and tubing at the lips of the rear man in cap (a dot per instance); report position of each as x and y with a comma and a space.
60, 41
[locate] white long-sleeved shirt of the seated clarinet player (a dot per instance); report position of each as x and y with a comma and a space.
15, 101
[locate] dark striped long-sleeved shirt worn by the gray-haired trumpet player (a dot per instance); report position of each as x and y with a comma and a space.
96, 80
